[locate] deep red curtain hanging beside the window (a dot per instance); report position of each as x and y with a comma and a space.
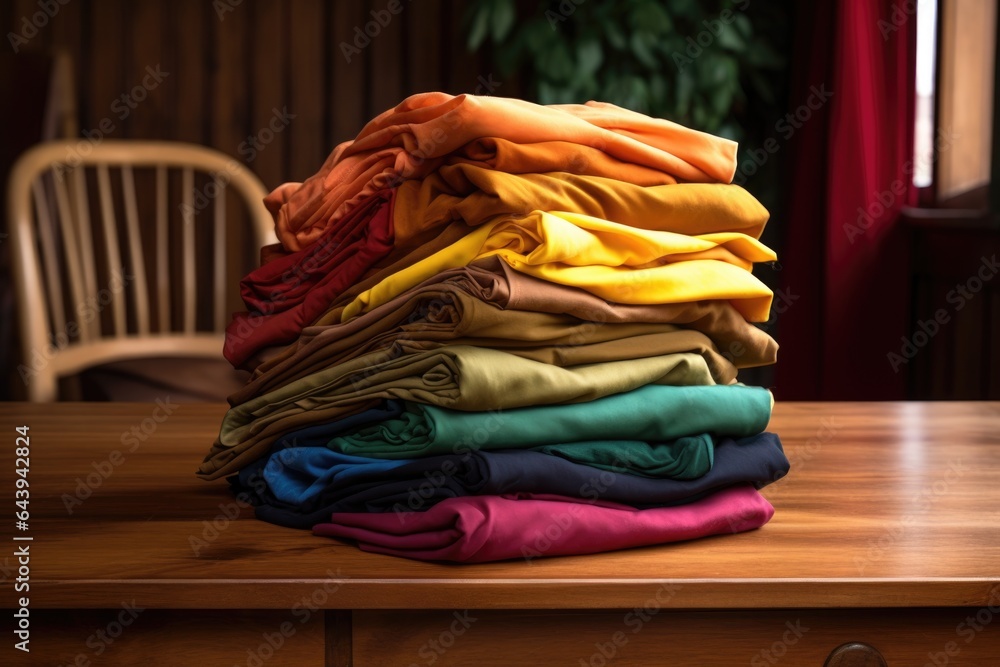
851, 173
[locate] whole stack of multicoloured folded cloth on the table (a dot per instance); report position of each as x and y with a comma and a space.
497, 330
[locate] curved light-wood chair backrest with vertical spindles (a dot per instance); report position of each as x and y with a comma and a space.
82, 229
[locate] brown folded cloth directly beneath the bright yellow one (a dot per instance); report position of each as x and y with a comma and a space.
439, 310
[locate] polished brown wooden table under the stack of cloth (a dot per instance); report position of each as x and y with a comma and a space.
886, 532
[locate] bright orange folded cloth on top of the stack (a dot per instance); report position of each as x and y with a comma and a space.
415, 138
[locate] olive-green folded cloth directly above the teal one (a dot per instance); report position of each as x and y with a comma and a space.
457, 376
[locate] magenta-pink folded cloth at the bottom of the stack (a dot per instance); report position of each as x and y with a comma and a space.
477, 529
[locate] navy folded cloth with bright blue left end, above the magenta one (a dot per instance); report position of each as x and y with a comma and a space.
305, 485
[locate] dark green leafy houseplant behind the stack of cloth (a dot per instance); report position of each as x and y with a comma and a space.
709, 65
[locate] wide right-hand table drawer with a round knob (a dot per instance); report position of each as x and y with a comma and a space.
795, 637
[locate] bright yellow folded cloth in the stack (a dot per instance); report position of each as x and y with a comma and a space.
616, 262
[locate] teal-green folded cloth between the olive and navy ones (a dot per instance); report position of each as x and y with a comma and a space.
653, 413
